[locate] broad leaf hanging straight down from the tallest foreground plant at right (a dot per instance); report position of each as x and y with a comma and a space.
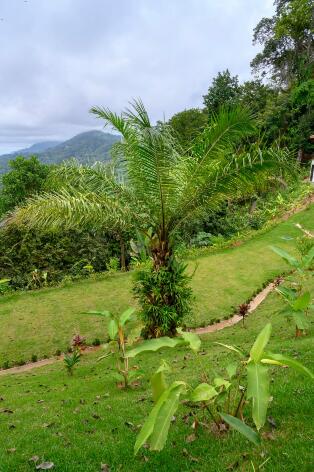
258, 390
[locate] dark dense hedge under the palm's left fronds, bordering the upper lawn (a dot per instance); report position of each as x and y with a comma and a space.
33, 259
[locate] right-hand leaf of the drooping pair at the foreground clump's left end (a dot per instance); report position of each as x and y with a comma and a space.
164, 415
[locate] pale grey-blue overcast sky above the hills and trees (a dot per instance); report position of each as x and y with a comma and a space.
60, 57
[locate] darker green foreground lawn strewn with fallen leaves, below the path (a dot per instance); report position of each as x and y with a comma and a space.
80, 422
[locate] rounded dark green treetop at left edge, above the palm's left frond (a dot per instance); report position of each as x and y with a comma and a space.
26, 177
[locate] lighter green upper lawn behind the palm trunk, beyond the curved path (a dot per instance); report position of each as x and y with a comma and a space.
40, 322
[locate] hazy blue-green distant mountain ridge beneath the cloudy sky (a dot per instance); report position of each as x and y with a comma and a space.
87, 148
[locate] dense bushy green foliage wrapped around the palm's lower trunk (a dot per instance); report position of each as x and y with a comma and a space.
164, 296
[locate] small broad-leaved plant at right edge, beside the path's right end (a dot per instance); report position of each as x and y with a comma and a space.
297, 307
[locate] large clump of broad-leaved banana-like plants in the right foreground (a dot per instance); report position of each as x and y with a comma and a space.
223, 399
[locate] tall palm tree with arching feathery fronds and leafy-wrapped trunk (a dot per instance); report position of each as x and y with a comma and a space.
164, 186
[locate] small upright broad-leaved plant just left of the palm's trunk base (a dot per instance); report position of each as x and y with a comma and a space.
117, 343
